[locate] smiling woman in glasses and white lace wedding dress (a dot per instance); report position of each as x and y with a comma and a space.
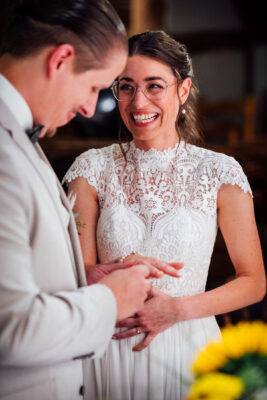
159, 199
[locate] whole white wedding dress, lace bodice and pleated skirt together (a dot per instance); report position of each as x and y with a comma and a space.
163, 205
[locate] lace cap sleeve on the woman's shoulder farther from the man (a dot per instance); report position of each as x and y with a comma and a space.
232, 173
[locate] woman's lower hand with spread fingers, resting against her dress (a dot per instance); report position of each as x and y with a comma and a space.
159, 313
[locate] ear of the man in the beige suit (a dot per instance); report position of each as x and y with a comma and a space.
61, 58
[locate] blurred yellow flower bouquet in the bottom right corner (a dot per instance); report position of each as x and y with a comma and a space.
234, 367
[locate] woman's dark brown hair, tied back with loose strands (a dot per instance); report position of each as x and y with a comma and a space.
160, 46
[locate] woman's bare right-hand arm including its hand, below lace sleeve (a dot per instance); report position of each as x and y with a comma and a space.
237, 223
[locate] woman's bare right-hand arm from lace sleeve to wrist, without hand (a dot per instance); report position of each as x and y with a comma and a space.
237, 223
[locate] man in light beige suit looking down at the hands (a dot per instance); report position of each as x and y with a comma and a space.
55, 57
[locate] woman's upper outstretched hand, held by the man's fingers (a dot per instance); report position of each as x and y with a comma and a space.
156, 267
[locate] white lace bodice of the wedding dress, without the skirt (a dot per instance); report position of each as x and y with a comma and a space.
159, 204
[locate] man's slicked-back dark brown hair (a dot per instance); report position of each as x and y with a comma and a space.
92, 27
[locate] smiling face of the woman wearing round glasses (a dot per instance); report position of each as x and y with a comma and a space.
149, 116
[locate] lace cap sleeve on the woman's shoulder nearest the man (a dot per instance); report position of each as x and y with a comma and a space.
88, 166
